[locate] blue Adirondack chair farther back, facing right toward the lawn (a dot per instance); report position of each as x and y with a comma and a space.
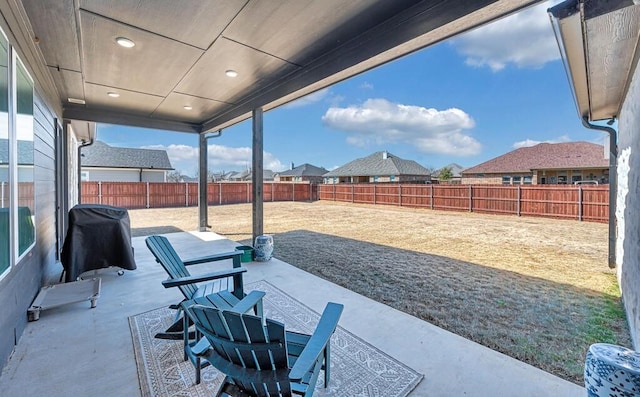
226, 285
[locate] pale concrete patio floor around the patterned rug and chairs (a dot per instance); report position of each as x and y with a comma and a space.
74, 350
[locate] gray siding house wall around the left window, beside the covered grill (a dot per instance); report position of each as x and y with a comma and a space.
22, 284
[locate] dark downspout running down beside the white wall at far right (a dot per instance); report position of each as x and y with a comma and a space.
613, 184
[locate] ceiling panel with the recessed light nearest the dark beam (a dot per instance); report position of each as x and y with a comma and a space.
255, 70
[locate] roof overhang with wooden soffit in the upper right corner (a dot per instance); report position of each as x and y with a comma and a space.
598, 41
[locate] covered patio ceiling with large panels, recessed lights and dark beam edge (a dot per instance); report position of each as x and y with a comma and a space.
281, 50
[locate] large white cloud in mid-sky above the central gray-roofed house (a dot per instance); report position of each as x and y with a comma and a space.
378, 121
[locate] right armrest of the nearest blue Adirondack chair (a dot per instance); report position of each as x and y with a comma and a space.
318, 341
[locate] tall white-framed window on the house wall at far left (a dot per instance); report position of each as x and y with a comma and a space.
17, 197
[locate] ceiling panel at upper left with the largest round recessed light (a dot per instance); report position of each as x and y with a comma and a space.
153, 66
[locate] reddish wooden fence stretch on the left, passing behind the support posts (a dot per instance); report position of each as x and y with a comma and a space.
185, 194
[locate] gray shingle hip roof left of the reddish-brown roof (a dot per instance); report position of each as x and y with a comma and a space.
376, 164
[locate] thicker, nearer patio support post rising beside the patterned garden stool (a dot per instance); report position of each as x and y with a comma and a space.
257, 169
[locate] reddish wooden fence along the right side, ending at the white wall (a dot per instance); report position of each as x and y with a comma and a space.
584, 203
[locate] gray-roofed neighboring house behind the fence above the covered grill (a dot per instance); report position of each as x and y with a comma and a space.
101, 162
